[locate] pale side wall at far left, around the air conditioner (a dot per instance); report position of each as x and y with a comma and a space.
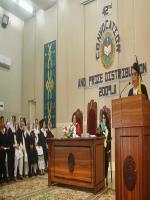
11, 45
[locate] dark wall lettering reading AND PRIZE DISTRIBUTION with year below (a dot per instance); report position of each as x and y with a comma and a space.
107, 82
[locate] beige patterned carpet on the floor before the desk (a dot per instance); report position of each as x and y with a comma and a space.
36, 189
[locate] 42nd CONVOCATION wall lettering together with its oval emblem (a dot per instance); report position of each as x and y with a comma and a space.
107, 38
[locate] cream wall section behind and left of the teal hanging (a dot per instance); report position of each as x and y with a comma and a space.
39, 30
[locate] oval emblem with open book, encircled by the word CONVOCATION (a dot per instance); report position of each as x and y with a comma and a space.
107, 50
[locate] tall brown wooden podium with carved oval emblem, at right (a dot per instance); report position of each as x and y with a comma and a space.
131, 120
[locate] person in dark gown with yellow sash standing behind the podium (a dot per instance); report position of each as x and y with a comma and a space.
138, 88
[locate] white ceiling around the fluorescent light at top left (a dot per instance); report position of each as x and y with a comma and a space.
23, 14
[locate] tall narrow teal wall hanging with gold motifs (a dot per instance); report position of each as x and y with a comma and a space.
50, 82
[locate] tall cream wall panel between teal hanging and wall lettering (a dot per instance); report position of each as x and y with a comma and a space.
70, 63
